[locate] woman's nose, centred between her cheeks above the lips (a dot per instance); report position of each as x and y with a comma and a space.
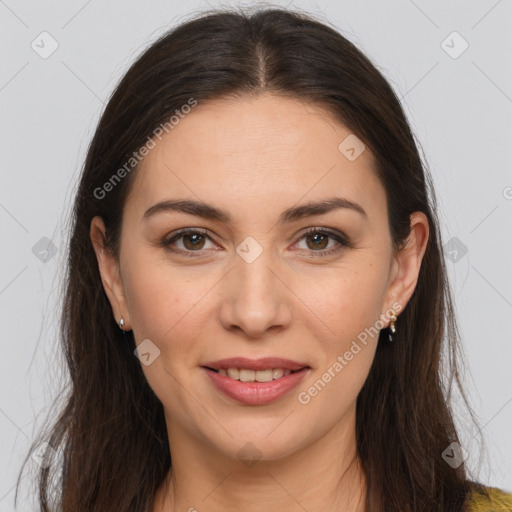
255, 298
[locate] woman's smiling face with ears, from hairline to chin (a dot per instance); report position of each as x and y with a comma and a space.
250, 283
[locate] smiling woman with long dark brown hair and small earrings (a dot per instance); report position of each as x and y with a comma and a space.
257, 313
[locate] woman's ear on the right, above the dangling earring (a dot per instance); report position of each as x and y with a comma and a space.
407, 263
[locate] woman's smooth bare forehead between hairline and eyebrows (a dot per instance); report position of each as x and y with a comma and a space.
253, 153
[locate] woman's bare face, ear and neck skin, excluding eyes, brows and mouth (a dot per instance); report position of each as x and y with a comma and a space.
255, 158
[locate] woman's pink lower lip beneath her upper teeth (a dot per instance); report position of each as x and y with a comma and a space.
256, 393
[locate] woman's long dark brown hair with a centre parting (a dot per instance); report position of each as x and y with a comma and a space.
110, 435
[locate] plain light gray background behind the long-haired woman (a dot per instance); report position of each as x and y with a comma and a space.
459, 107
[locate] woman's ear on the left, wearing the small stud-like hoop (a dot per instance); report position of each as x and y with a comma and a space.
110, 273
